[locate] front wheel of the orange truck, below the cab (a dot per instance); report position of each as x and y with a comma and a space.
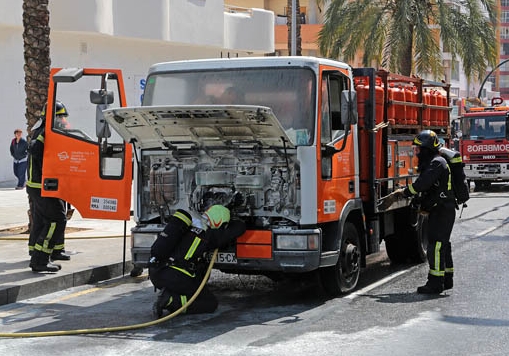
343, 277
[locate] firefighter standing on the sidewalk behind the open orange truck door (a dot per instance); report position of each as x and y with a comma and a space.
46, 240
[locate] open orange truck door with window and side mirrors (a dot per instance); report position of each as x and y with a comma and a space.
85, 163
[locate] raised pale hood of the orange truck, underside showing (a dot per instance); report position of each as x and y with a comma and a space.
199, 126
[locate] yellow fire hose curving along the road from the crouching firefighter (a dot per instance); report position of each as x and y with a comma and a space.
125, 327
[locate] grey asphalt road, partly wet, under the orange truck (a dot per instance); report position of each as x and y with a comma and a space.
258, 316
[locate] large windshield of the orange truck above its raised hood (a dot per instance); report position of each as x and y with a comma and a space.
289, 92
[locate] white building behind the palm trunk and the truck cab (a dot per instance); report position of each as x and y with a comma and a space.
126, 34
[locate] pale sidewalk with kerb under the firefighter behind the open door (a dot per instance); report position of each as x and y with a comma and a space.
96, 248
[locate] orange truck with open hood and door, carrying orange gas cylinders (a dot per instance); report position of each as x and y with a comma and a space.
301, 148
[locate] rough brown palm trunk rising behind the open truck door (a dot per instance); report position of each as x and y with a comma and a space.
37, 57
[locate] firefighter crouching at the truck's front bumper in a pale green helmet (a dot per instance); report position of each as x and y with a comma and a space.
178, 258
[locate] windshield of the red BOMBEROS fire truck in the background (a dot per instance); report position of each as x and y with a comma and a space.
483, 127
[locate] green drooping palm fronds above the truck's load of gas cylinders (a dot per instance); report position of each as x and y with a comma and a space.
404, 35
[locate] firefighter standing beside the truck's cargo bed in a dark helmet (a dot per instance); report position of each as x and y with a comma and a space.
434, 191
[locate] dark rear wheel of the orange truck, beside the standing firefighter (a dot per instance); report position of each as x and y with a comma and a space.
409, 243
